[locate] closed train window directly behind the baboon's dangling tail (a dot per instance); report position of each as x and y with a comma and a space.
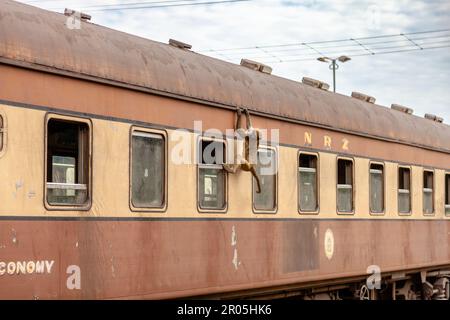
266, 169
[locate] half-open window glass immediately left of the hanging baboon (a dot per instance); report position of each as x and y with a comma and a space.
211, 176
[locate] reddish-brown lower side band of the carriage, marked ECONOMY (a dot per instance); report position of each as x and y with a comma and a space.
185, 258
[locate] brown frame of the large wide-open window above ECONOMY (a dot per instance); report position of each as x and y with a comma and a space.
81, 120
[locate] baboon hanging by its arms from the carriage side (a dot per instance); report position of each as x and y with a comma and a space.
249, 135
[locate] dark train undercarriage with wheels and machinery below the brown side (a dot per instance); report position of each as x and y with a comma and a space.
428, 284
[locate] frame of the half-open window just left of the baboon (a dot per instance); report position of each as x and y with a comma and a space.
224, 210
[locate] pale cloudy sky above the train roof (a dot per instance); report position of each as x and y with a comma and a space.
417, 79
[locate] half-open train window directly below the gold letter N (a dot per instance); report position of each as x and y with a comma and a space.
308, 181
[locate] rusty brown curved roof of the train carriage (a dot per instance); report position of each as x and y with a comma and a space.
40, 38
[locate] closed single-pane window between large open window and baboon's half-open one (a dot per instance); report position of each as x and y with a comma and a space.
148, 170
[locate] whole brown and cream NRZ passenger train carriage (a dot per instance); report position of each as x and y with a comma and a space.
100, 200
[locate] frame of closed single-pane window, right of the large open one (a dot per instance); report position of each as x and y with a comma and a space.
163, 133
